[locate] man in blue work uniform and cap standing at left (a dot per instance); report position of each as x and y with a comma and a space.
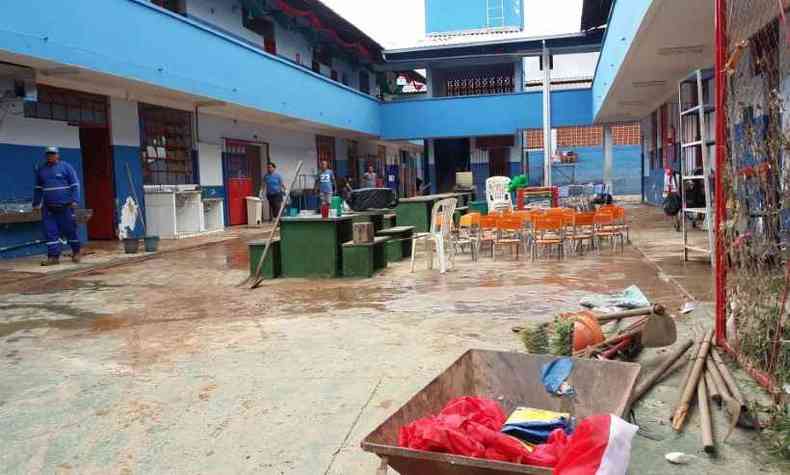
57, 192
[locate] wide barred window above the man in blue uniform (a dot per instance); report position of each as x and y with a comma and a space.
78, 108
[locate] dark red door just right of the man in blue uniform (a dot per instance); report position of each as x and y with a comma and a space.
98, 181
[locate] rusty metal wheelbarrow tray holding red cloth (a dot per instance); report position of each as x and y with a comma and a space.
513, 380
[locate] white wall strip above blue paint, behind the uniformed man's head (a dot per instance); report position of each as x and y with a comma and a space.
18, 130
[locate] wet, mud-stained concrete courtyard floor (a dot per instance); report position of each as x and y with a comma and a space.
169, 366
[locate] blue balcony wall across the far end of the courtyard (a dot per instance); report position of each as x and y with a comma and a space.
470, 116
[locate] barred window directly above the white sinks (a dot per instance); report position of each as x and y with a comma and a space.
166, 145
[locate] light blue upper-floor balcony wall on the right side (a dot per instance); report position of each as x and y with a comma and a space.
626, 17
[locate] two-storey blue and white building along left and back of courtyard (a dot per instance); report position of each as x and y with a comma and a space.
206, 92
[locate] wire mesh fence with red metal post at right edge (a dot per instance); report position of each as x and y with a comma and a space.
753, 186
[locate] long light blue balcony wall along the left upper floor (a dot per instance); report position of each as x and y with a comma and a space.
183, 55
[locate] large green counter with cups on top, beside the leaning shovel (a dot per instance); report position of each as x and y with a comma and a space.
312, 246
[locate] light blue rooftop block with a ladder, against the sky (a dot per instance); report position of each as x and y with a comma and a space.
442, 16
